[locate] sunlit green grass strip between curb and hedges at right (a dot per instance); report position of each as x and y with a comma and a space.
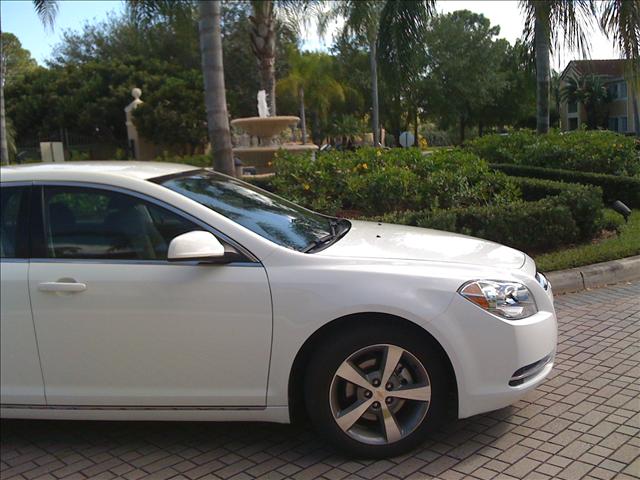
625, 244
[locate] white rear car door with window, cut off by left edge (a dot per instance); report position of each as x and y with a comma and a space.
20, 373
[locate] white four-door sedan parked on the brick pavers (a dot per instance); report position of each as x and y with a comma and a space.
154, 291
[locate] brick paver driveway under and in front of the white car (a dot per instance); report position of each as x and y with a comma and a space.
583, 422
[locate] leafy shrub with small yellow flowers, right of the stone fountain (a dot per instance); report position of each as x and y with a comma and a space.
373, 181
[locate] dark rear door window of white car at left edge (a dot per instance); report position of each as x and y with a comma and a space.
14, 214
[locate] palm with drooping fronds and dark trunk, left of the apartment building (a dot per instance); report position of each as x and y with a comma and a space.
549, 24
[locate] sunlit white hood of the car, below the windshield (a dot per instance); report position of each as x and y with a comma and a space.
382, 240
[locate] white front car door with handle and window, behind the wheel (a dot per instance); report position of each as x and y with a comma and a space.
118, 324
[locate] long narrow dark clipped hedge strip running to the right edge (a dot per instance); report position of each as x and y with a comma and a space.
614, 187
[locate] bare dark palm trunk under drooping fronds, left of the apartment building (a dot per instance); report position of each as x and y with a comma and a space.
542, 68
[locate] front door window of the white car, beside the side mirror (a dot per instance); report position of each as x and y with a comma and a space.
90, 223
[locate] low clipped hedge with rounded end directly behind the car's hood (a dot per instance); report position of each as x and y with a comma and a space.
553, 214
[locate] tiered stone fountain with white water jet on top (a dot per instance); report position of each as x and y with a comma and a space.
258, 150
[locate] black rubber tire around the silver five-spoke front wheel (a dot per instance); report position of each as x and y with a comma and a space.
336, 349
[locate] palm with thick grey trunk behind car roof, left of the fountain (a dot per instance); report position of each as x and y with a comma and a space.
212, 66
